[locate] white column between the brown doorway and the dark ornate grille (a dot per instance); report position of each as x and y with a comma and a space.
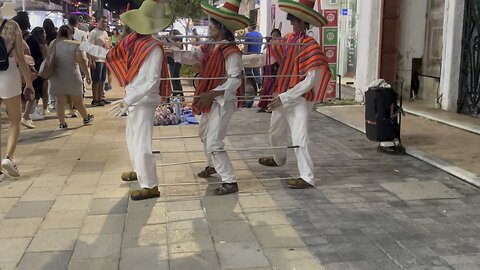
452, 53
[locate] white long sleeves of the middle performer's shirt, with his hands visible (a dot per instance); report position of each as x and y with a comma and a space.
233, 67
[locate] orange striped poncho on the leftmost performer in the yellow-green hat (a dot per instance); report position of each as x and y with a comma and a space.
125, 60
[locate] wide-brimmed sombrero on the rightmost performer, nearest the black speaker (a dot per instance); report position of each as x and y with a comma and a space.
303, 9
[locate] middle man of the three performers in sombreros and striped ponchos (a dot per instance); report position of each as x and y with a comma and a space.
218, 97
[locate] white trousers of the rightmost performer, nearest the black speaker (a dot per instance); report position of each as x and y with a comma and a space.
295, 116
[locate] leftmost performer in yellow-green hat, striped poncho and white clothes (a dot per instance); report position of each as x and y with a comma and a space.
139, 64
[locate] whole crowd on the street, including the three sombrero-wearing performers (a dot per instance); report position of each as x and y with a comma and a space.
149, 69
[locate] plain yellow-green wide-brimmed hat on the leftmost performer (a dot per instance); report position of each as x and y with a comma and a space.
152, 17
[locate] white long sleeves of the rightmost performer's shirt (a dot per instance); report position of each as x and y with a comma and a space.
311, 81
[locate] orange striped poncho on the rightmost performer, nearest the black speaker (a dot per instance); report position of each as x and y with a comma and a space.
299, 60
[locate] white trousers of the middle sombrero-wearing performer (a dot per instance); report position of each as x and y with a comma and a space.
212, 131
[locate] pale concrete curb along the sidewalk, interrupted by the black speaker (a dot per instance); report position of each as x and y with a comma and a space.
460, 173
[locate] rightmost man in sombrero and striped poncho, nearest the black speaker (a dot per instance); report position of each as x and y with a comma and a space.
306, 76
